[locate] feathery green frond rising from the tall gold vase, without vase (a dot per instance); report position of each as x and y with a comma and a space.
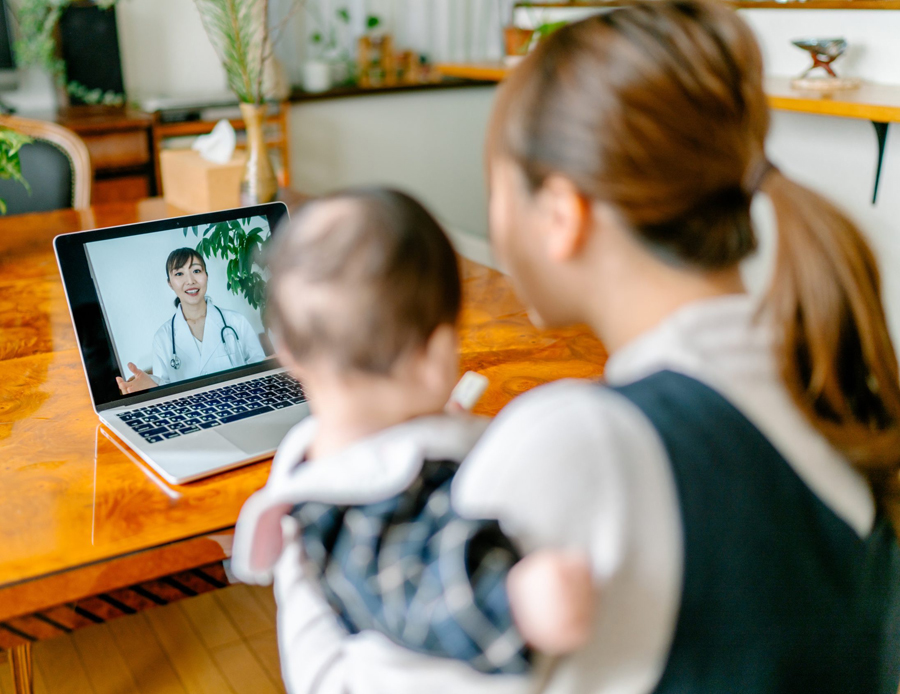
237, 30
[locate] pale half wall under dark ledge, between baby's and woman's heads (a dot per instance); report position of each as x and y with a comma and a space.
428, 143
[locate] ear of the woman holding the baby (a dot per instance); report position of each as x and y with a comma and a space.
567, 215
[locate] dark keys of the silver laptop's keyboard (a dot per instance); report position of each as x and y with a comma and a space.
212, 408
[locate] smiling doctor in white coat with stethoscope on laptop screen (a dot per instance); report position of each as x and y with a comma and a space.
200, 338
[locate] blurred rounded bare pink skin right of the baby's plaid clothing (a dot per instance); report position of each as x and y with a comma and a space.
551, 596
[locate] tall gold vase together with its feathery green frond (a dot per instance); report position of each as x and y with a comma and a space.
239, 31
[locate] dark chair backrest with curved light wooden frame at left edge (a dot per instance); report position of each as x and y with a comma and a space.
56, 165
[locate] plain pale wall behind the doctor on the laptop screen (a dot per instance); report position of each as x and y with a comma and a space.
130, 274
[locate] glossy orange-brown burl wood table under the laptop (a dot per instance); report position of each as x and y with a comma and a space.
84, 524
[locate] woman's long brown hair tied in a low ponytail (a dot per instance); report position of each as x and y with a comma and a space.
658, 110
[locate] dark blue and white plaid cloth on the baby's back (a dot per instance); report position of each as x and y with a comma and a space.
413, 569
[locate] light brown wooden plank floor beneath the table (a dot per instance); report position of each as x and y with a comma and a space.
216, 643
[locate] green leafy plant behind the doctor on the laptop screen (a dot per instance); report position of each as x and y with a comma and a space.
240, 245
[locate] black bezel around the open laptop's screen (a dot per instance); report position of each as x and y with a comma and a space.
94, 342
